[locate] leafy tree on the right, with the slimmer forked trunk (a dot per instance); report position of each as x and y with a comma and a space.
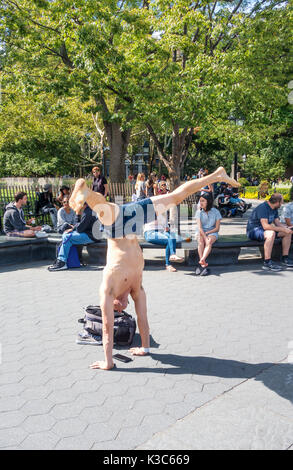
215, 57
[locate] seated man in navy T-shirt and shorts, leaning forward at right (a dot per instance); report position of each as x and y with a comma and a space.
264, 225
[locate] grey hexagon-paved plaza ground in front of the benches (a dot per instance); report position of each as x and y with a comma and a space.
218, 376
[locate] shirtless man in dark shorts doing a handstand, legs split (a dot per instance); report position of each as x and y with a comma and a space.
123, 271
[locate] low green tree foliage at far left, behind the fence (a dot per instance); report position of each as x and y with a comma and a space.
41, 137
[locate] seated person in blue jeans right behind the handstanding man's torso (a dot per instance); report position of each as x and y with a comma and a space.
158, 233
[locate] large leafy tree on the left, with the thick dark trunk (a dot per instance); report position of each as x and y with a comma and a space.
76, 49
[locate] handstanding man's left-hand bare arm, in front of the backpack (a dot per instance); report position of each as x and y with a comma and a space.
107, 307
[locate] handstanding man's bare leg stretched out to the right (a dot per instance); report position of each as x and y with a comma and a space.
164, 202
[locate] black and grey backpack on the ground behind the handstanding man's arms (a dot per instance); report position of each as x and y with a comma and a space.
124, 325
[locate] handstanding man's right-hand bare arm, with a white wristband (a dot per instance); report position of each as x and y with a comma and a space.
139, 299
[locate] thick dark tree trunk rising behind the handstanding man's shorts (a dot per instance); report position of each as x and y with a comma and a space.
118, 141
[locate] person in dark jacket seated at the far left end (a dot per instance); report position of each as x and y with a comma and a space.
14, 222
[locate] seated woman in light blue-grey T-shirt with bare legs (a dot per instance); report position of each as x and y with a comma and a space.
208, 219
